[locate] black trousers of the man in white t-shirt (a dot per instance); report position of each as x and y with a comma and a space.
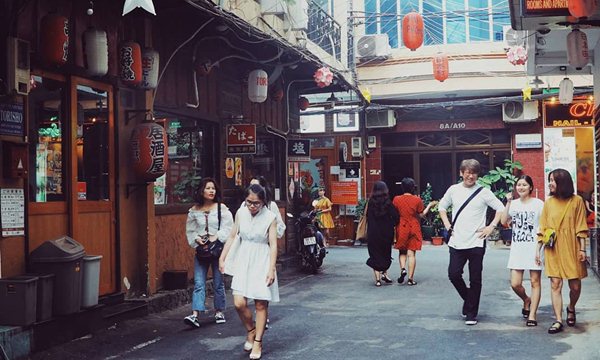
471, 294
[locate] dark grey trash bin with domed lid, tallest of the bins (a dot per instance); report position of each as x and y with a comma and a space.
61, 257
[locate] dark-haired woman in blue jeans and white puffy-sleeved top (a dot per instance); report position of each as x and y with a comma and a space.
208, 220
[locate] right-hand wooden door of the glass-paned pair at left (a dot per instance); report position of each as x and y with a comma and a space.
93, 177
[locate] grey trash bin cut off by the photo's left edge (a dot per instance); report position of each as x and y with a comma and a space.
18, 300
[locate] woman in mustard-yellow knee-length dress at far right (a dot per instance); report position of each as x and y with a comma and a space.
566, 260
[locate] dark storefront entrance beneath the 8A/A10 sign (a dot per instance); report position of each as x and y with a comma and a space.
435, 158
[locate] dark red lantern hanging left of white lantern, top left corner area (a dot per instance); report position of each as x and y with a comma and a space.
54, 40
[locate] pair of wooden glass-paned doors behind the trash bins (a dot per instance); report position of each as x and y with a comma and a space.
71, 160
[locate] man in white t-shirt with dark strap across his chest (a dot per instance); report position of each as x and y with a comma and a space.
467, 243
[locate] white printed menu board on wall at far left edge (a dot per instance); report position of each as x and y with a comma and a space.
12, 203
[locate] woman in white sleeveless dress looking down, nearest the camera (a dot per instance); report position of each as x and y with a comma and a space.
253, 265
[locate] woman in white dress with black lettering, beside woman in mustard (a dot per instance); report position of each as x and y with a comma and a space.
524, 216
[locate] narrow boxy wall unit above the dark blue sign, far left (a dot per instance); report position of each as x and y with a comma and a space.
18, 65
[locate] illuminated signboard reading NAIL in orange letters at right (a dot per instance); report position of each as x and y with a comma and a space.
578, 113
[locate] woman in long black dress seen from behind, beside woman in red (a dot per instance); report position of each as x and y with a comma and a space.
382, 216
